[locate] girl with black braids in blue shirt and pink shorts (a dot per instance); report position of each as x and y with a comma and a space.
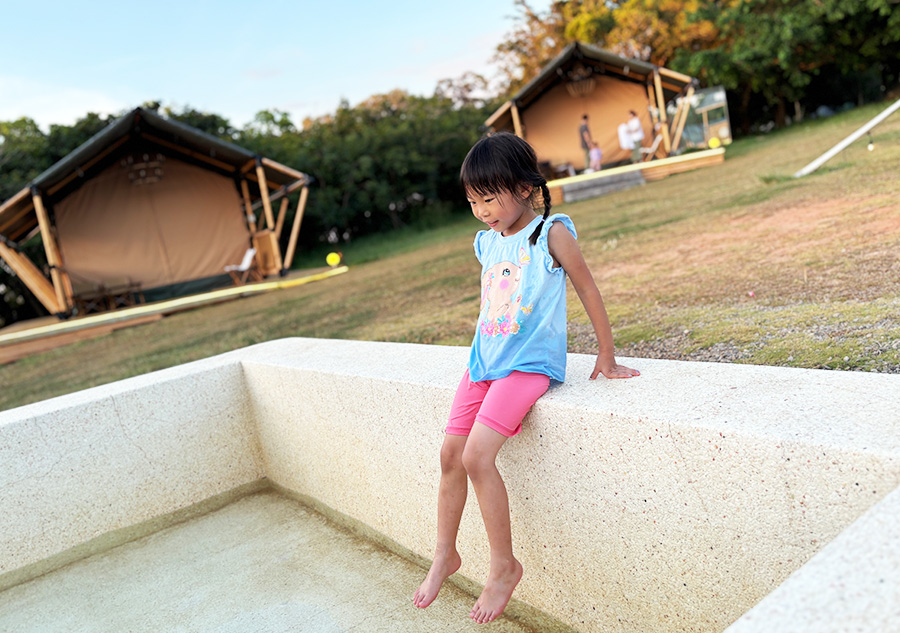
520, 344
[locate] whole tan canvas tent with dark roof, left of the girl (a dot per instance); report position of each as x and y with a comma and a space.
148, 203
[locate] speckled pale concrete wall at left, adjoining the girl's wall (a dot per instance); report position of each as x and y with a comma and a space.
77, 467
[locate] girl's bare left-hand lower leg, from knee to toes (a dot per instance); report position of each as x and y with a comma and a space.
451, 501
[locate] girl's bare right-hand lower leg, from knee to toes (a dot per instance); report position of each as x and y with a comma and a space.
479, 459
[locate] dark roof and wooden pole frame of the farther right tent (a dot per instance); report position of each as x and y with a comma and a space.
662, 85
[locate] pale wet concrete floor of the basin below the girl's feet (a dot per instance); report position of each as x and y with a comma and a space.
264, 563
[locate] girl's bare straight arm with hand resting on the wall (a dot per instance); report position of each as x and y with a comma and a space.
566, 252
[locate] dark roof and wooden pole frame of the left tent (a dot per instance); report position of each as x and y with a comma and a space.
260, 181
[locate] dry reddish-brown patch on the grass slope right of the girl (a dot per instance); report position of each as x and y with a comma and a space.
837, 249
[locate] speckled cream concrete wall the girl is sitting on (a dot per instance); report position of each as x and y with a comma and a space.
671, 502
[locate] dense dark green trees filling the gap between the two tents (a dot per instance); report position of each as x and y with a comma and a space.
391, 161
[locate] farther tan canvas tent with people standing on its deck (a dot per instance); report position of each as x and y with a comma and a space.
584, 79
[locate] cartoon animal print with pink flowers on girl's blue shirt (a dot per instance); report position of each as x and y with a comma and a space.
500, 303
